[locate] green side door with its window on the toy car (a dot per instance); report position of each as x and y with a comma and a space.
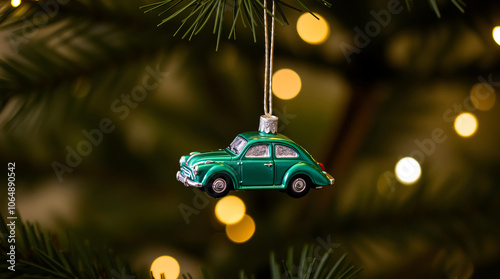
257, 166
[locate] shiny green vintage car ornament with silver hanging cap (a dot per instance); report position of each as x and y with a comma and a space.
255, 160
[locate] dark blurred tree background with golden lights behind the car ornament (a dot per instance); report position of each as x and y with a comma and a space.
97, 105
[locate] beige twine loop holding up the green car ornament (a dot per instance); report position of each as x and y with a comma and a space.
268, 91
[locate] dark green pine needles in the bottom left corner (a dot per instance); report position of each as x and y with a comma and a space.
42, 254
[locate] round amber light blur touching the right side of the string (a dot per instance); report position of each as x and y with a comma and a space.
286, 84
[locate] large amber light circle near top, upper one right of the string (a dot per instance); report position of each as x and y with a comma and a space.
312, 30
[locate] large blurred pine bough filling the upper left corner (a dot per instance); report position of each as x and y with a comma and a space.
63, 62
